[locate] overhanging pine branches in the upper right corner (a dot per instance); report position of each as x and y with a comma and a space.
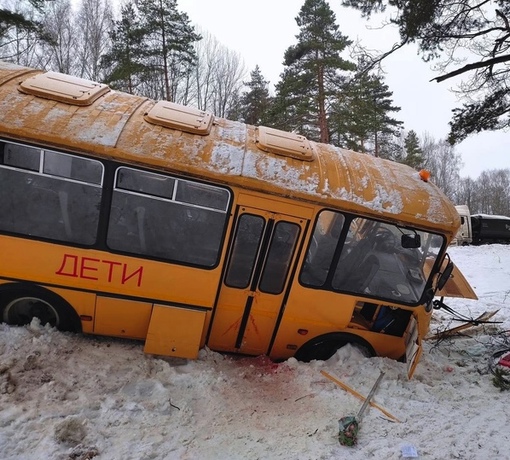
449, 31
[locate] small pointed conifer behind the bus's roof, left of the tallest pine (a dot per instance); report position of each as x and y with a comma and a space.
255, 102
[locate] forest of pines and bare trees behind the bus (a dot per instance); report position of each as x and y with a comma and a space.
331, 90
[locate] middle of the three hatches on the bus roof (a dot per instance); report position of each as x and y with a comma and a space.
177, 116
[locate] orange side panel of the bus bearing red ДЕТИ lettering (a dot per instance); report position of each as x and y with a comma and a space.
58, 265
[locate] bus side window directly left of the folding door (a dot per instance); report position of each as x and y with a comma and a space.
149, 216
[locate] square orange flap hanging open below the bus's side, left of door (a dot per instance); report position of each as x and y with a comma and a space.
175, 332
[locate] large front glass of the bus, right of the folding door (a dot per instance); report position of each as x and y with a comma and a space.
365, 256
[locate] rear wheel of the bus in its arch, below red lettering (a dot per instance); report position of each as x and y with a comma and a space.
20, 303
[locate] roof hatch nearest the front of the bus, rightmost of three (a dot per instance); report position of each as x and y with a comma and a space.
283, 143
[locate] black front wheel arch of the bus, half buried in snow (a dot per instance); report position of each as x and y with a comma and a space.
325, 346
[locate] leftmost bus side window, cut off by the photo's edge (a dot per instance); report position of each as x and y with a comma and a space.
40, 197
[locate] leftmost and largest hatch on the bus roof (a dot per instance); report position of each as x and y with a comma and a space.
63, 88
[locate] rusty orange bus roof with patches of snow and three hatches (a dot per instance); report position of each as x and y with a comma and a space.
125, 127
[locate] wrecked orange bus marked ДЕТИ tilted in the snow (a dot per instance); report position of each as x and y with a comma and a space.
129, 217
